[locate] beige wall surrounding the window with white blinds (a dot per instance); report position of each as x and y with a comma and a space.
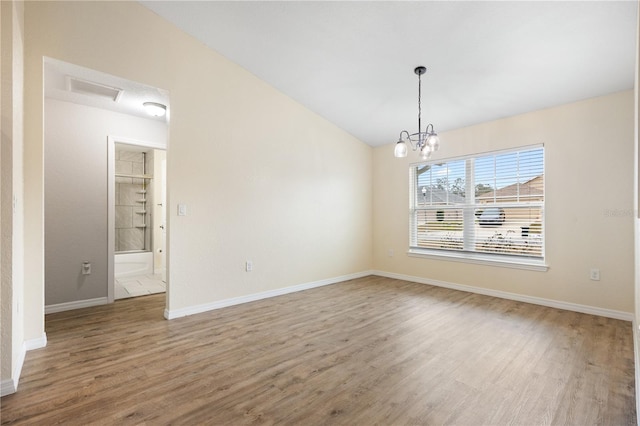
589, 204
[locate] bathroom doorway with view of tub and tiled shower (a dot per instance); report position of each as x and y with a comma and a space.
137, 212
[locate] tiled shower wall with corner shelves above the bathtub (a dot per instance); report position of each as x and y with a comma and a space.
133, 217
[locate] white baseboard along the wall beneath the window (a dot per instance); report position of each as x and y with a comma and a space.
568, 306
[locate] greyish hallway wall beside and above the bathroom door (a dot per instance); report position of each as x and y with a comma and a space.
76, 179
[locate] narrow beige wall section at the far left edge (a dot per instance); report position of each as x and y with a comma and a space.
11, 195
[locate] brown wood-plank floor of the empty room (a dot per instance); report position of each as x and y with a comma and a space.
363, 352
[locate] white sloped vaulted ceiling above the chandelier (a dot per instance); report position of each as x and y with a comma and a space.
352, 62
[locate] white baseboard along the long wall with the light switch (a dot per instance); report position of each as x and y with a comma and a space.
177, 313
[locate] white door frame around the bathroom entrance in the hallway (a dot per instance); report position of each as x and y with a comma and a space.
111, 205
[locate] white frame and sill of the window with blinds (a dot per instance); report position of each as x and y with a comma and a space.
467, 254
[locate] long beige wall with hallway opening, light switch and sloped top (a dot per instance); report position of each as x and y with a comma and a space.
263, 178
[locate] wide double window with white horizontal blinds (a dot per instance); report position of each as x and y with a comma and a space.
485, 207
